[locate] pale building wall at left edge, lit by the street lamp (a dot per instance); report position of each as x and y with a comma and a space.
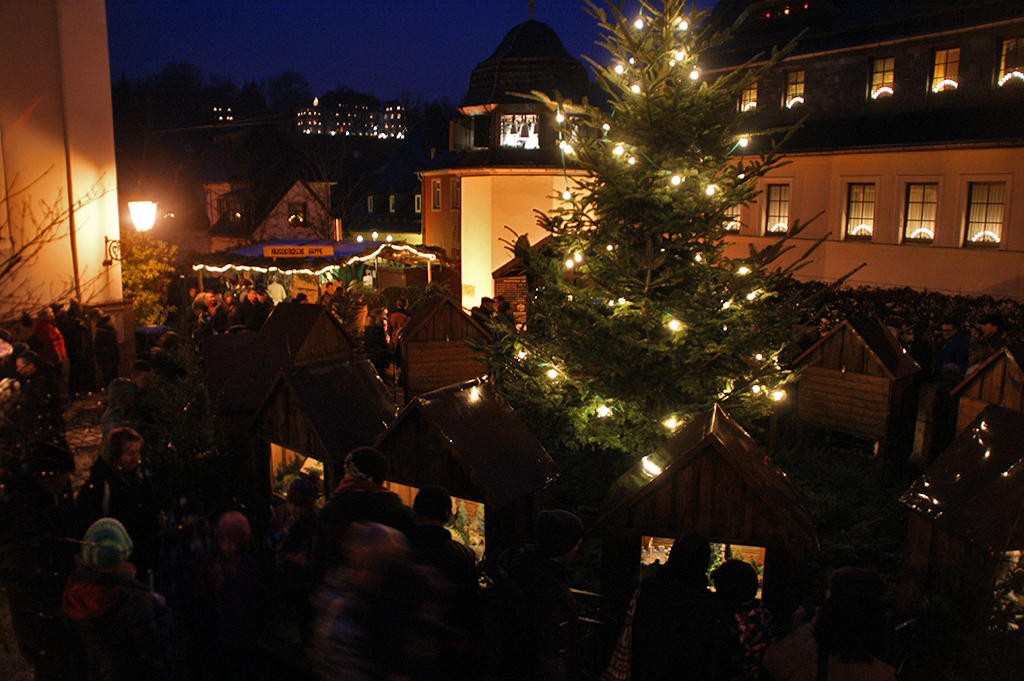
57, 156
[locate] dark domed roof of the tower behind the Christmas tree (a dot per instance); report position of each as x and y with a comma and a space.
531, 58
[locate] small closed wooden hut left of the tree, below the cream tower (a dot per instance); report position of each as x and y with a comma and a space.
435, 347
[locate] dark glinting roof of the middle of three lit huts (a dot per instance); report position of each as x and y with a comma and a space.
502, 459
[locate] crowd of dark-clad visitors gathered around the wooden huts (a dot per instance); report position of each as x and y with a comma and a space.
153, 588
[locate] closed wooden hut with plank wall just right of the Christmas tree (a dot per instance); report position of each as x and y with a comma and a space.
858, 379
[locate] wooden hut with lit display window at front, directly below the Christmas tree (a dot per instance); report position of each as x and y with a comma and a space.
710, 478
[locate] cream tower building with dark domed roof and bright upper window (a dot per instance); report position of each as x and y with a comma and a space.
504, 161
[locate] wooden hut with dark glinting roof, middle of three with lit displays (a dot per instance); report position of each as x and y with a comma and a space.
466, 439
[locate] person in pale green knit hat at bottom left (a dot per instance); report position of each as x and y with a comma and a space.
124, 627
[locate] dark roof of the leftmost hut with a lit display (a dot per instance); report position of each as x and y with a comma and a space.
345, 404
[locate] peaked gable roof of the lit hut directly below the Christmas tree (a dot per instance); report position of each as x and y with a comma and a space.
714, 433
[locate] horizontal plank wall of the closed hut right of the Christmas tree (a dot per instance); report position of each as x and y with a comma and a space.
848, 402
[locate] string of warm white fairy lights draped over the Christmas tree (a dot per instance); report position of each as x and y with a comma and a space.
625, 74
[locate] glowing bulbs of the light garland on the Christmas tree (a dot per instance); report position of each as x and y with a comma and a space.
605, 408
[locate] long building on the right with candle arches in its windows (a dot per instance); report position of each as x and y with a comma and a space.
912, 148
